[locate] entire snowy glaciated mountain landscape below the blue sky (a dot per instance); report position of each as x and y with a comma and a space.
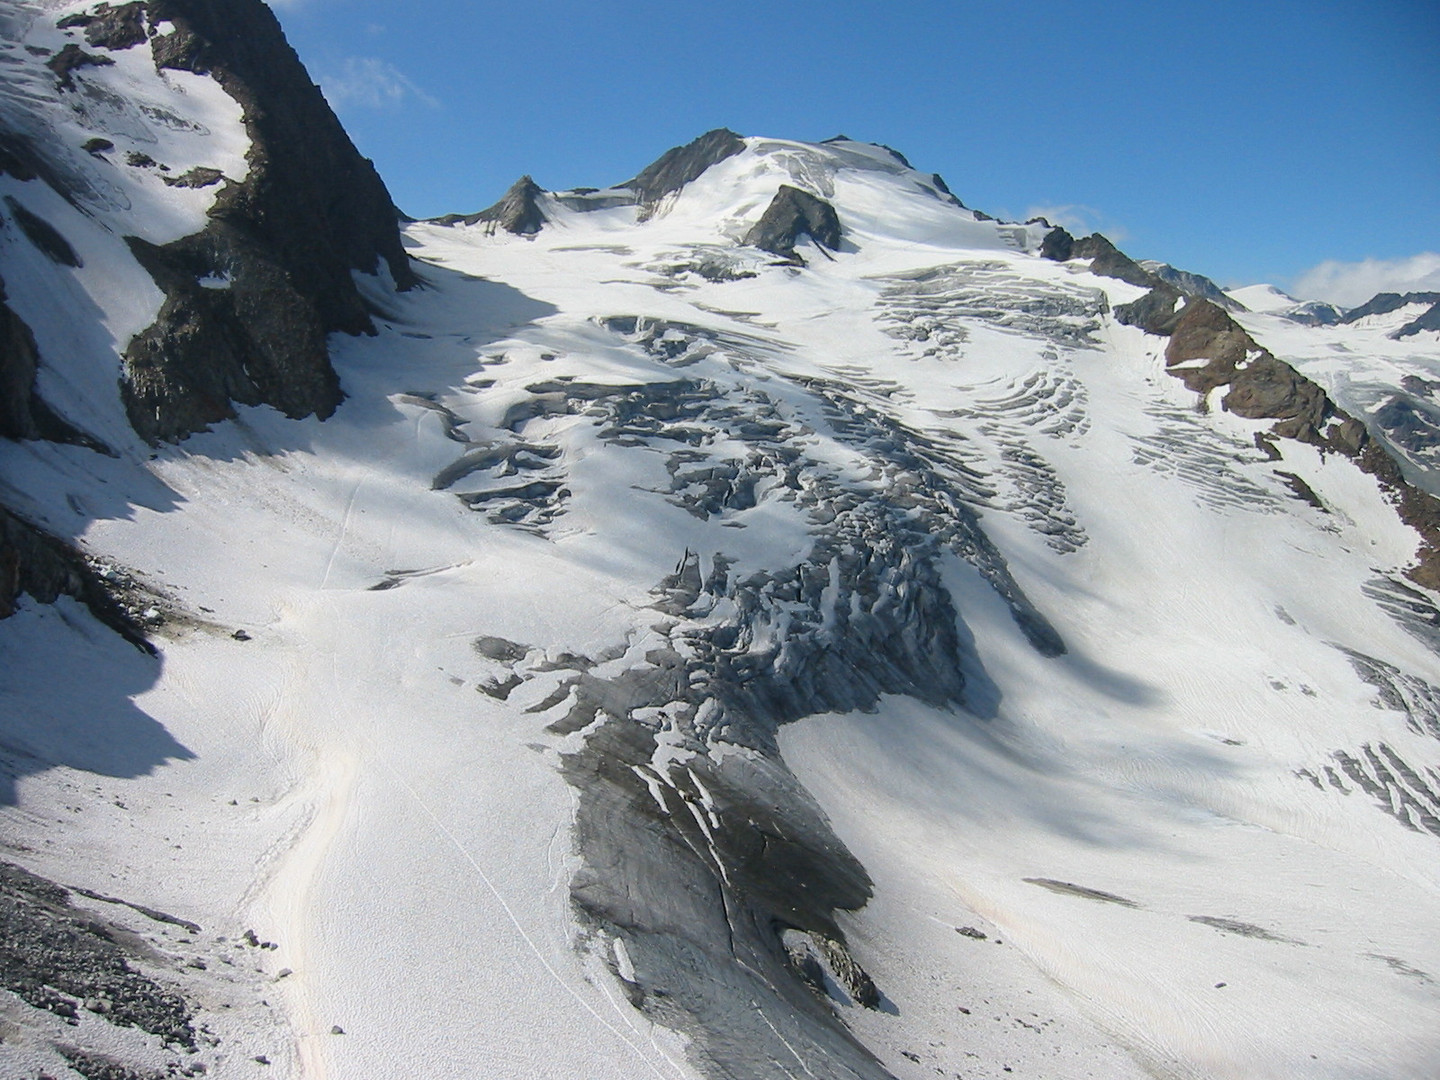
758, 620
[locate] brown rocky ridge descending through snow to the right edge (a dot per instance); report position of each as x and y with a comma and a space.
1265, 388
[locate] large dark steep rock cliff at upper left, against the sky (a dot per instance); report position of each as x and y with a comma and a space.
287, 240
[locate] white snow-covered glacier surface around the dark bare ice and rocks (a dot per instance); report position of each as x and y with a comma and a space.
1203, 843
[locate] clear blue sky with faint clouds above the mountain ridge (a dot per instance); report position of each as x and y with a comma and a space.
1249, 142
